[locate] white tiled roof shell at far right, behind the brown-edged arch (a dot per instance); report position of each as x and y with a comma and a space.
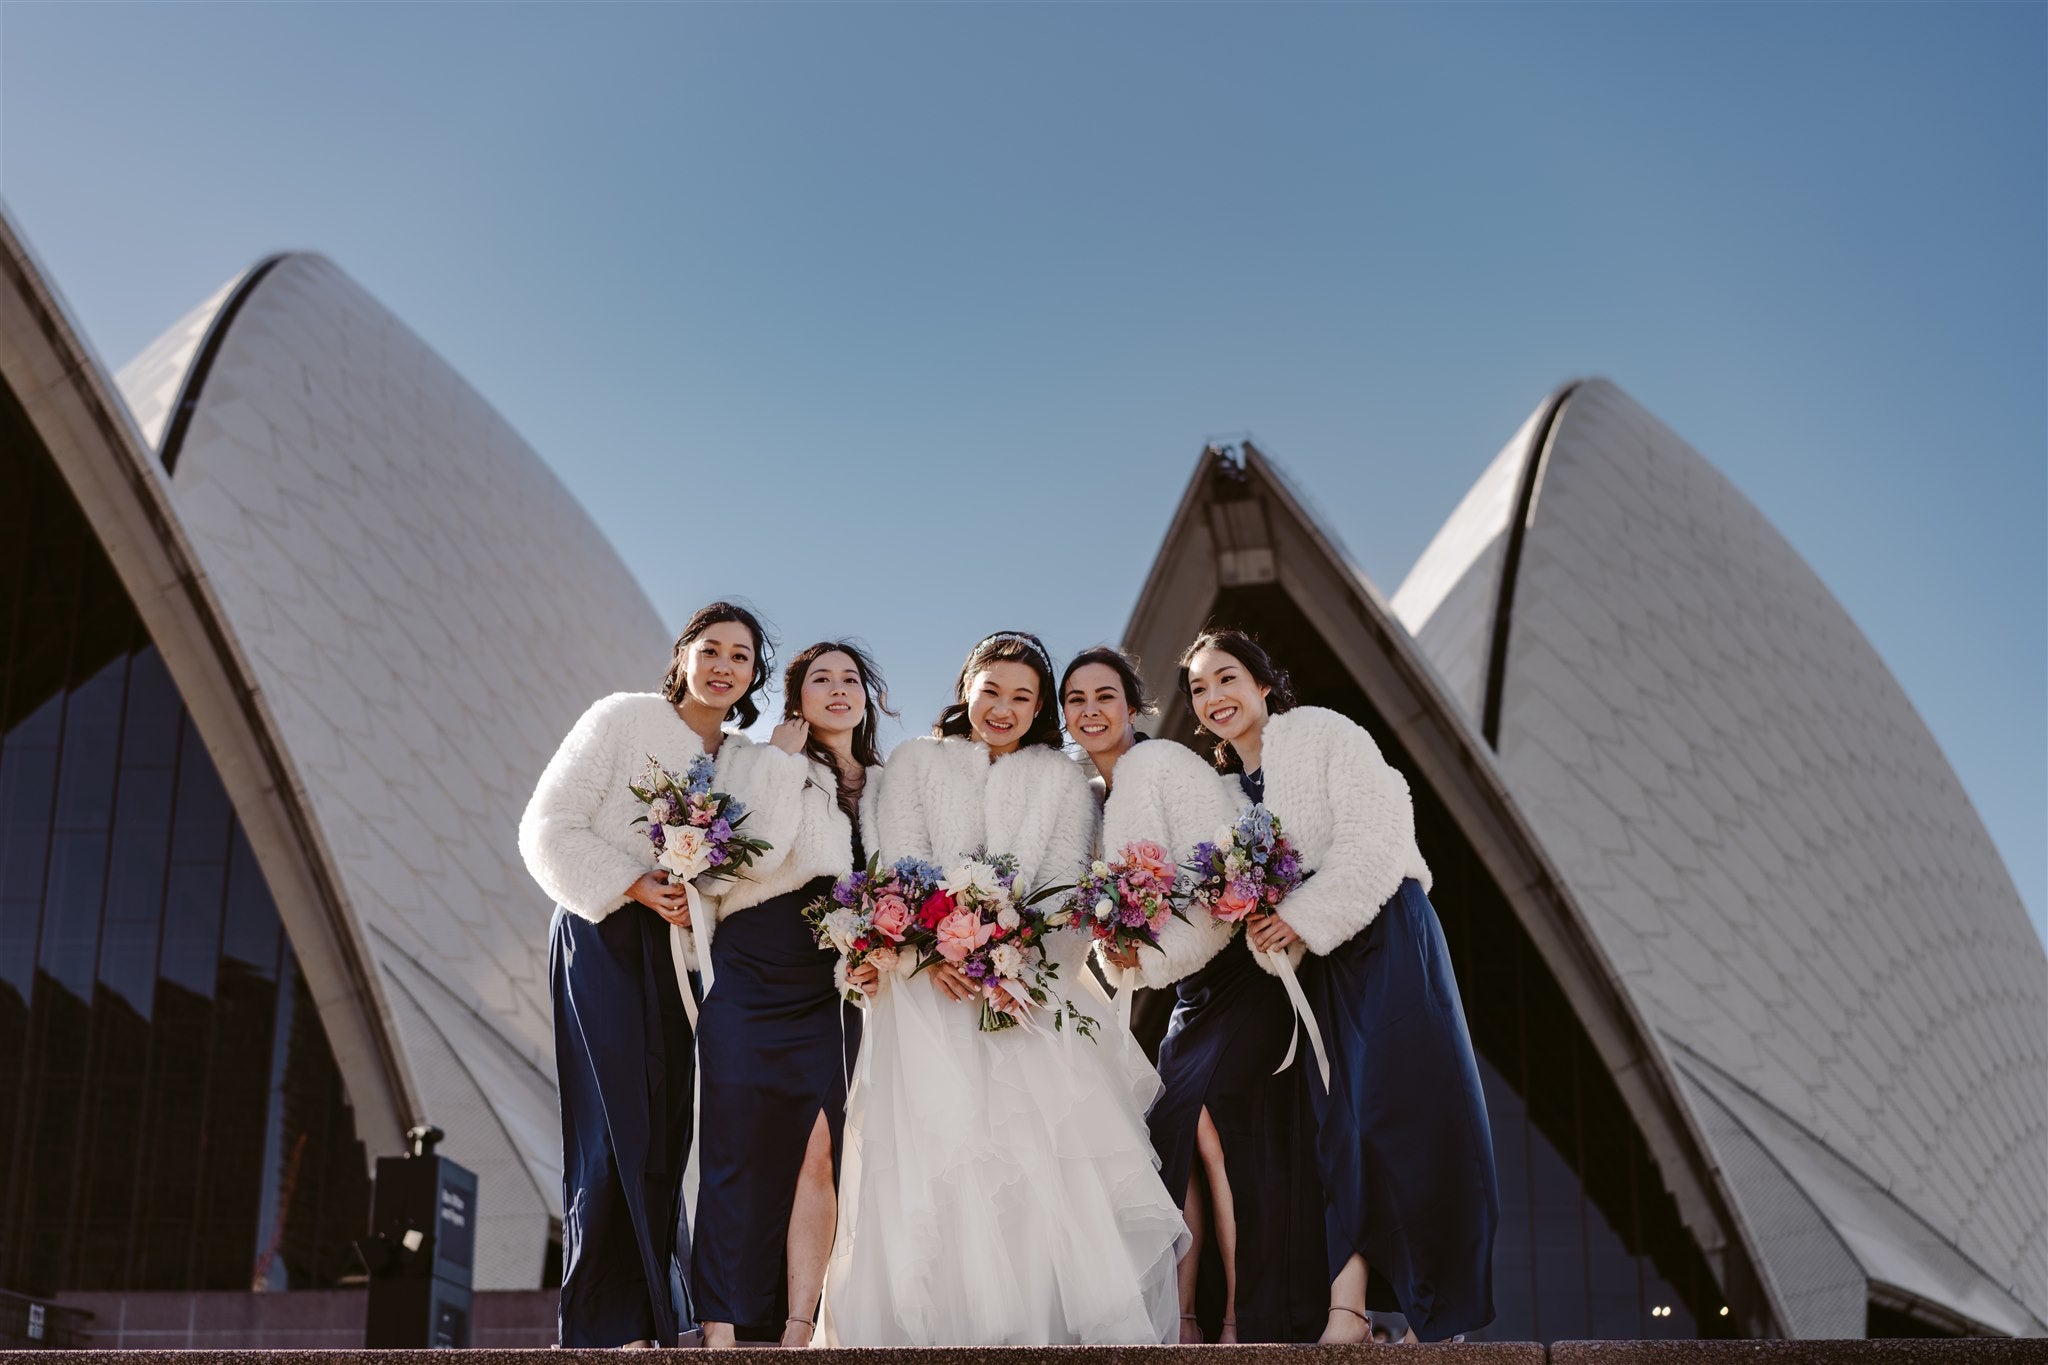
1773, 852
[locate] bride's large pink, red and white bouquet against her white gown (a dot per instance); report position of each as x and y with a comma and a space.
982, 924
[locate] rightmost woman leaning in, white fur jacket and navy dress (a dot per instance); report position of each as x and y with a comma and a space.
1402, 1125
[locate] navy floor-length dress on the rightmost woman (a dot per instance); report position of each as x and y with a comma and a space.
1402, 1131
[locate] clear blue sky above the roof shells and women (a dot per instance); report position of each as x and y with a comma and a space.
931, 269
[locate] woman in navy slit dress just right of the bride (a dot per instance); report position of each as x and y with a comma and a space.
1234, 1139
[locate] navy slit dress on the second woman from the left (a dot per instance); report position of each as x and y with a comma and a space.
777, 1047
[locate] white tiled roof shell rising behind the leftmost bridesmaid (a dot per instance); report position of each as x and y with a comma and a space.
427, 611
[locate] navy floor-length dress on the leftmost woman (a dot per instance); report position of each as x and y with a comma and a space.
624, 1063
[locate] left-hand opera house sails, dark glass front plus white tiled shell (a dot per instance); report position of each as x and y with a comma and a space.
382, 613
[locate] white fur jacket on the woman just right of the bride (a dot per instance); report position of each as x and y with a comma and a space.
1168, 795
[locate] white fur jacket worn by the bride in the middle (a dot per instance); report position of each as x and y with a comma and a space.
945, 799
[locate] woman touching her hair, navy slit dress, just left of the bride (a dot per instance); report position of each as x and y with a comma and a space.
777, 1041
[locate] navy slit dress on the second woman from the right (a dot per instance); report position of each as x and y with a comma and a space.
1230, 1032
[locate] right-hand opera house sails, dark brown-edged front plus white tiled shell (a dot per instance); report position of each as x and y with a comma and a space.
1758, 1008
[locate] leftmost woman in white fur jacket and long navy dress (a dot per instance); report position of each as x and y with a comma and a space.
622, 1020
